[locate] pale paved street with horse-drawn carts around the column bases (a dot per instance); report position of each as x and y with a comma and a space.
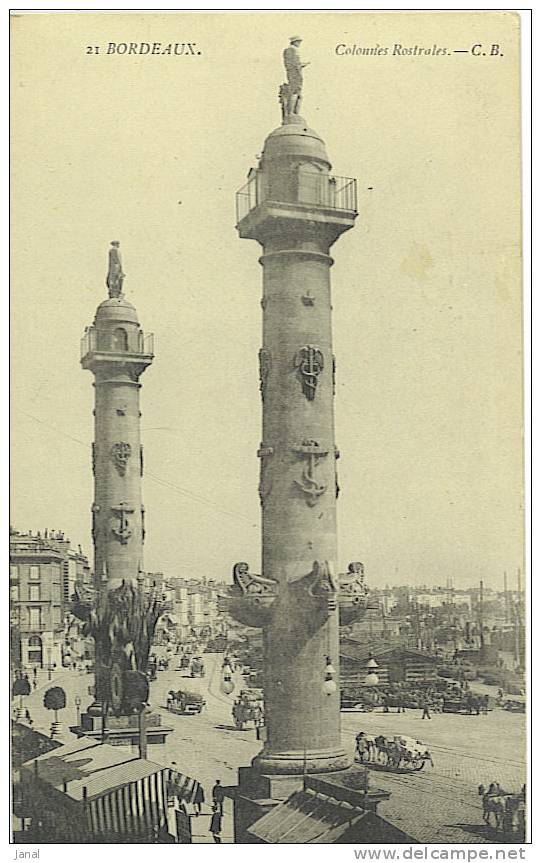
439, 803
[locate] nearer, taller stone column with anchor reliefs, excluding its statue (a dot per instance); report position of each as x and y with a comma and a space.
296, 210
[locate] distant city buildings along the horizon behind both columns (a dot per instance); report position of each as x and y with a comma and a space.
478, 624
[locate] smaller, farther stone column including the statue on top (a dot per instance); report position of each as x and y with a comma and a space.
123, 615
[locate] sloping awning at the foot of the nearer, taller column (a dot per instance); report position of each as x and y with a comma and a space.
307, 817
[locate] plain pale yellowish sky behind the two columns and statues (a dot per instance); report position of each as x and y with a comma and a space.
150, 150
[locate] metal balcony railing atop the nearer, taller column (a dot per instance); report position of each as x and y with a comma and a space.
299, 187
